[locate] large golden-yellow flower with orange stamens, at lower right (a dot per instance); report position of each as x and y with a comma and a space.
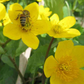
65, 68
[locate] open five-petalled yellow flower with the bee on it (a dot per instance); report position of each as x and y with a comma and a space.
25, 24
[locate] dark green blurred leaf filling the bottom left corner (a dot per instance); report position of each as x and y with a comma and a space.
7, 75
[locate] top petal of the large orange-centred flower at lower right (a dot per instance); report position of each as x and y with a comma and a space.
64, 49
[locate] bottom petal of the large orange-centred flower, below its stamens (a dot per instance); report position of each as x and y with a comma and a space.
80, 80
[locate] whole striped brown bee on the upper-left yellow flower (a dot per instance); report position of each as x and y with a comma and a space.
24, 17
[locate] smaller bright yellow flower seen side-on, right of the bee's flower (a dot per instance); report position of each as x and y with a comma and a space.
60, 29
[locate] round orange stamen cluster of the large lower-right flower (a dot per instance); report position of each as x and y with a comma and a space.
67, 69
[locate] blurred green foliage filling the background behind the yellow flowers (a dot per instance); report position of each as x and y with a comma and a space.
14, 48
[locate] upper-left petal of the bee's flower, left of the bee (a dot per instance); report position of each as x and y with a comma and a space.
14, 11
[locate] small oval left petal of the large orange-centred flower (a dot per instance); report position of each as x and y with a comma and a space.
49, 66
